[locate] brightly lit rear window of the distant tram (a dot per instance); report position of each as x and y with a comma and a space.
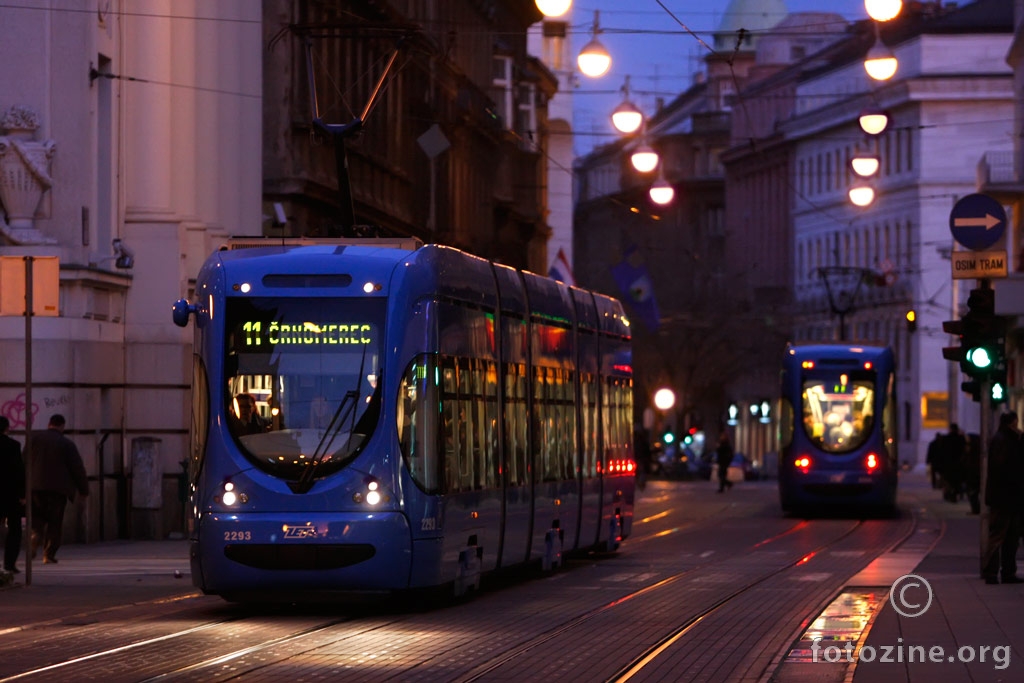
839, 411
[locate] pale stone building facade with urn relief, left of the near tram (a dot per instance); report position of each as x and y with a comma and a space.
137, 126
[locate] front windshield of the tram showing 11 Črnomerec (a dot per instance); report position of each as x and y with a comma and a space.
303, 378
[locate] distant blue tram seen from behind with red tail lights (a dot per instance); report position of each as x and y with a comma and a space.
838, 420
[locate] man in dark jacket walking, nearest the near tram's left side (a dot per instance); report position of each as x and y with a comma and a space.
58, 474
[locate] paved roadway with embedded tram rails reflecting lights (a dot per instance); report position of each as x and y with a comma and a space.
711, 587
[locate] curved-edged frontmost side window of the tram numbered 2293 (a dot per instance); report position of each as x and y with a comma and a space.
417, 424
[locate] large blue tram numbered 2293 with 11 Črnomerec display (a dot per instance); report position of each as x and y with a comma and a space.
377, 416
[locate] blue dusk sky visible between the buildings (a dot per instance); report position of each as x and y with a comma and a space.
659, 55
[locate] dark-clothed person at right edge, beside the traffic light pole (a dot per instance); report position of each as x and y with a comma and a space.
1003, 491
